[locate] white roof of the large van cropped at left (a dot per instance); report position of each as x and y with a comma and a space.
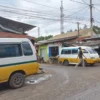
13, 39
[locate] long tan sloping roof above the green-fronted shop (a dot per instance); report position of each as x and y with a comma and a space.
70, 36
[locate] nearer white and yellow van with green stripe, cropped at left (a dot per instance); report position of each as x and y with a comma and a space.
17, 60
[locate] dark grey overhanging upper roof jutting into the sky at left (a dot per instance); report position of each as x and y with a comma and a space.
14, 26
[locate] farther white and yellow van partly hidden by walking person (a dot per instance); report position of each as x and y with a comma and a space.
68, 55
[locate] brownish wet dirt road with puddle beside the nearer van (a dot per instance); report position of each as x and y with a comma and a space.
58, 83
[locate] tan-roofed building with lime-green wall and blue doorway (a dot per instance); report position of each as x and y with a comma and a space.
52, 47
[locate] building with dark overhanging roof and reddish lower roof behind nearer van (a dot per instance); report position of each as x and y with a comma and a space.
14, 29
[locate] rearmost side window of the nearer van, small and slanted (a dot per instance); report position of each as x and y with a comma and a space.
27, 49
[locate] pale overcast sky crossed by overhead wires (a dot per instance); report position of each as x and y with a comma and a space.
46, 14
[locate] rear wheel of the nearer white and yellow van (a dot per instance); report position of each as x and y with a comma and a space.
16, 80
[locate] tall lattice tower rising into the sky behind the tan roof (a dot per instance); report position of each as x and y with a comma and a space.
62, 18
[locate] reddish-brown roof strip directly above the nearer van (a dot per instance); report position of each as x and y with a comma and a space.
11, 35
